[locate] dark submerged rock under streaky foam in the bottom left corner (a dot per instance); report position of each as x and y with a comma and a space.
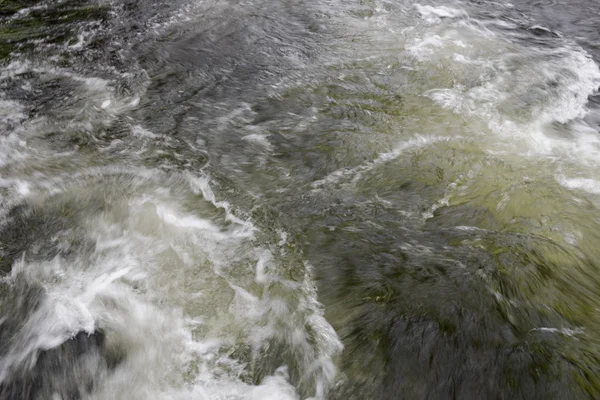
29, 371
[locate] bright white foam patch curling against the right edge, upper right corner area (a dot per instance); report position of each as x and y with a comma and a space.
493, 80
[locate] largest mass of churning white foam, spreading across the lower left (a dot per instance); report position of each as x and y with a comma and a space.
177, 291
